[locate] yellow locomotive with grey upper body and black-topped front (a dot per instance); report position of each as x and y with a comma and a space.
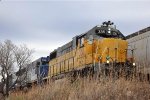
94, 50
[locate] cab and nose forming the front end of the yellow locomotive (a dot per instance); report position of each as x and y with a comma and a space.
106, 44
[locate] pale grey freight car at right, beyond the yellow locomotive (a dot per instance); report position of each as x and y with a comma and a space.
139, 43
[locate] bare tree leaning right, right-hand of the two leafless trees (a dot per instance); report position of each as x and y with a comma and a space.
22, 57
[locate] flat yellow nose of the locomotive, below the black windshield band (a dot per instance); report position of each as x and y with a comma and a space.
112, 50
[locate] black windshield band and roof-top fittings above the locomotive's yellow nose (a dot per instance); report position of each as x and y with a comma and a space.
107, 30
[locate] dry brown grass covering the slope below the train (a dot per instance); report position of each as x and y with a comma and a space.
86, 89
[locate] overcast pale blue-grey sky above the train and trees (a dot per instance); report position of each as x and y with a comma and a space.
45, 25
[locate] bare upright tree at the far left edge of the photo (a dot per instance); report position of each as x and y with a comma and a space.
6, 62
